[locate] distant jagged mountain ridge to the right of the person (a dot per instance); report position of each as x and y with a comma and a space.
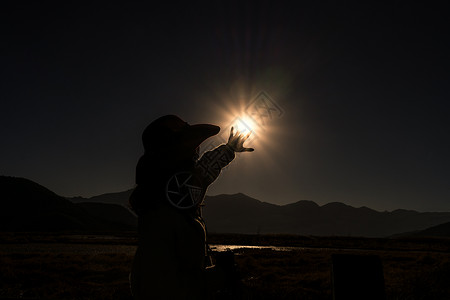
242, 214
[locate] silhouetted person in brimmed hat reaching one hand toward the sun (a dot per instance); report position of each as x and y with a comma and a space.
171, 261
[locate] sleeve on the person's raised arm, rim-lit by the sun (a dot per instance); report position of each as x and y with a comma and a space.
211, 163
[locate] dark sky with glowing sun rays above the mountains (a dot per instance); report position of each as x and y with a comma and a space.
363, 89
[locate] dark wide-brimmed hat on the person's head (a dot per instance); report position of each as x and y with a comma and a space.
171, 131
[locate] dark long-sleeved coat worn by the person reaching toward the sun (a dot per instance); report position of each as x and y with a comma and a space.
171, 261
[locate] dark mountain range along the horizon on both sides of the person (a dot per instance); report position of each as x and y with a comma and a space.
27, 206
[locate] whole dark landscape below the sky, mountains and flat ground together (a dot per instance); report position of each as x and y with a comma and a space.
82, 248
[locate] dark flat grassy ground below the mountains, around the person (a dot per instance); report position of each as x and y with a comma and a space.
97, 266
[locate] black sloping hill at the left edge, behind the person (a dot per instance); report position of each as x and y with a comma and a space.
28, 206
